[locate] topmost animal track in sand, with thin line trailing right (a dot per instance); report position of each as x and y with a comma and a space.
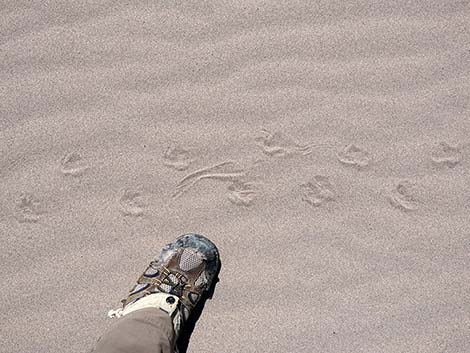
278, 145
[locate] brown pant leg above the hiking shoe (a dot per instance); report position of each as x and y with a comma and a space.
147, 330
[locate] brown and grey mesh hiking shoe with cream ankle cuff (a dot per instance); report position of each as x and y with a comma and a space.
176, 280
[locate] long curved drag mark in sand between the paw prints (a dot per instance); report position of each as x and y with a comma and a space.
224, 171
